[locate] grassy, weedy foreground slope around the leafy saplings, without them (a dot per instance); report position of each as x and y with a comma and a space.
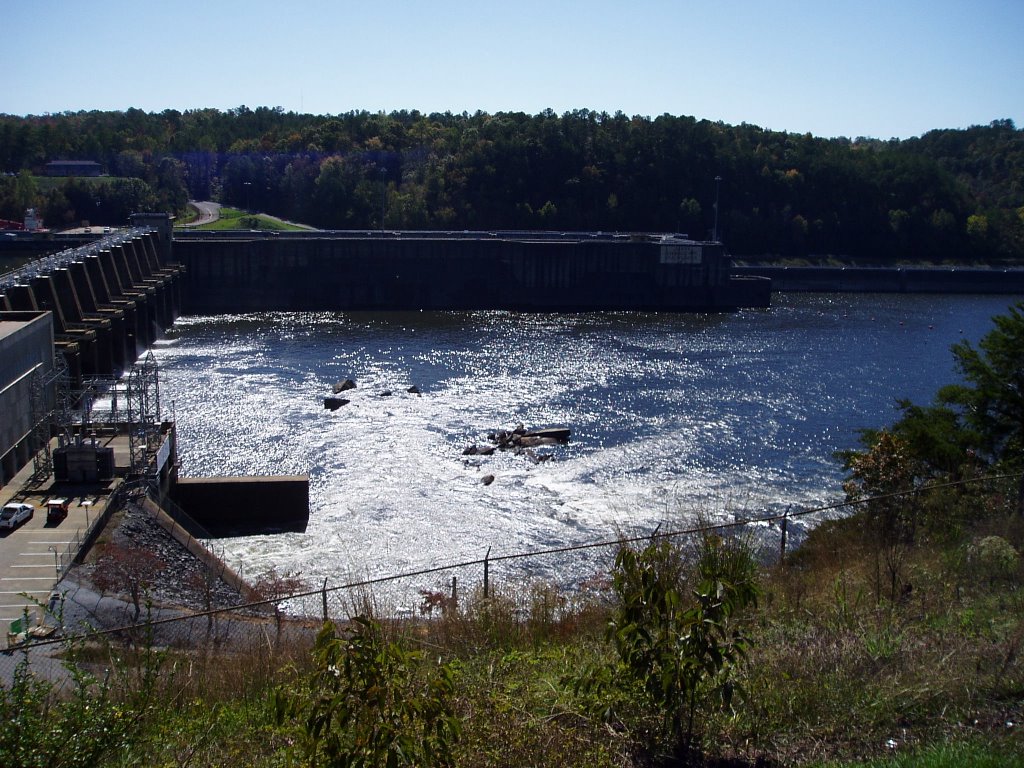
838, 667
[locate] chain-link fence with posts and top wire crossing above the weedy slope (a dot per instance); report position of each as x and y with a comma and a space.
195, 603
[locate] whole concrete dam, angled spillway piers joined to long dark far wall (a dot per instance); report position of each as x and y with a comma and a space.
73, 323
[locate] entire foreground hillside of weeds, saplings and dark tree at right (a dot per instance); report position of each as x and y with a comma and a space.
892, 635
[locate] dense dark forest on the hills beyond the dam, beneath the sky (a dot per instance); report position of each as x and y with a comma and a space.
947, 195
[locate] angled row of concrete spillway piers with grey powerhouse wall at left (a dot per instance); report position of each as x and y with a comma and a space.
73, 323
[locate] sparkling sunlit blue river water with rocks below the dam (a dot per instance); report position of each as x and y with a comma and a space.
672, 415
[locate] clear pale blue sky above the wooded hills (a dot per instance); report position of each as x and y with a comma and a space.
832, 68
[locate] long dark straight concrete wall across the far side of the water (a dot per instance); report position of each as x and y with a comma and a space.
406, 272
